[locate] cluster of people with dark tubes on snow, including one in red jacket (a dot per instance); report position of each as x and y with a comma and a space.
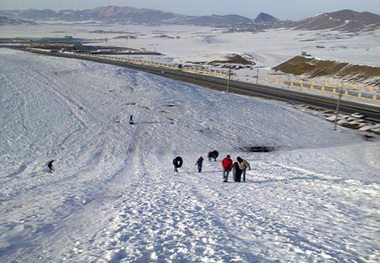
240, 166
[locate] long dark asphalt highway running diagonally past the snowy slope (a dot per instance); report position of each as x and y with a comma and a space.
372, 112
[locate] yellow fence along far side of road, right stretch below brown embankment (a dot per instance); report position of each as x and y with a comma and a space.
352, 91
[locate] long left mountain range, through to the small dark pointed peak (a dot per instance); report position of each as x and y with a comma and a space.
136, 16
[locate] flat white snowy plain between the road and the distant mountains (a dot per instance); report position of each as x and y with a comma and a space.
195, 43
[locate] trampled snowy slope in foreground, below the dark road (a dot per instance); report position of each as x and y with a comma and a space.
114, 196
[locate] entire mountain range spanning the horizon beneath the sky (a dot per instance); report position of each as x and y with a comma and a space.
344, 20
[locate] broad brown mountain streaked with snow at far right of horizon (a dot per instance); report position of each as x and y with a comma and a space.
345, 20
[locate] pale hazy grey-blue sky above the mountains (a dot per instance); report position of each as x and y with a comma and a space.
283, 9
